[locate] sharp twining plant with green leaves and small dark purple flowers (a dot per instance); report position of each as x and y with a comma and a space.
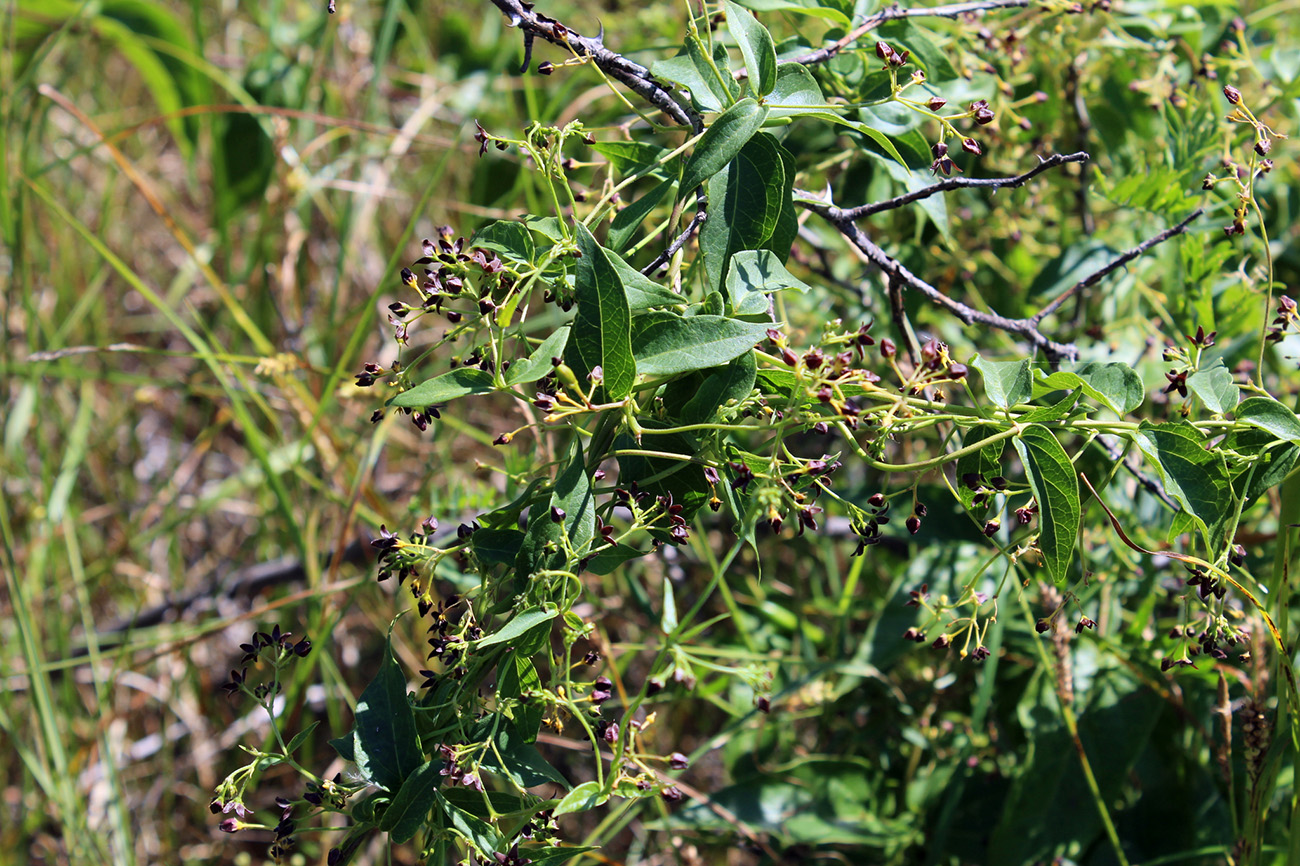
653, 397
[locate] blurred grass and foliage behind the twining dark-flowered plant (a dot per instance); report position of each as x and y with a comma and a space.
203, 207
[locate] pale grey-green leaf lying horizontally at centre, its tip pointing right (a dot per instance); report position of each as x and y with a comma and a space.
668, 344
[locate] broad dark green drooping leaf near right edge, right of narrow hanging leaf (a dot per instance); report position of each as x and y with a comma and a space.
1195, 478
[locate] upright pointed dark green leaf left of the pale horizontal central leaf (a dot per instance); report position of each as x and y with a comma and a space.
601, 331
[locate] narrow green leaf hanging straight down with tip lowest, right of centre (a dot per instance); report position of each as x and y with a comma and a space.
1056, 487
